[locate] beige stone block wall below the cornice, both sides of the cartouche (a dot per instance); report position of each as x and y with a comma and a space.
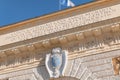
93, 67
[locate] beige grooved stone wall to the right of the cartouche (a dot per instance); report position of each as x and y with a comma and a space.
94, 67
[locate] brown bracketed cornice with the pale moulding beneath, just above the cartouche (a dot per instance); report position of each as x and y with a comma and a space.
79, 44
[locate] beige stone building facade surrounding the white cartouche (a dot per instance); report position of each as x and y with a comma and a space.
90, 33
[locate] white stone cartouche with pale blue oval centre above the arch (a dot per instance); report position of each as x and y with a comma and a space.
56, 62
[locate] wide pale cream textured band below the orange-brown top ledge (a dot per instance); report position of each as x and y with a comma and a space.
61, 25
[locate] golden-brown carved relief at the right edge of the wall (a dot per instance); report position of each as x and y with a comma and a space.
116, 65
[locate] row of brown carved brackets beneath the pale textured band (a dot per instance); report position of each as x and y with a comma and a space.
105, 32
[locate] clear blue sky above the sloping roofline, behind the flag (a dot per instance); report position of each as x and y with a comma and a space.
12, 11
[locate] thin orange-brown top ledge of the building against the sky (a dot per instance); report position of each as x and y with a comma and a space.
62, 13
